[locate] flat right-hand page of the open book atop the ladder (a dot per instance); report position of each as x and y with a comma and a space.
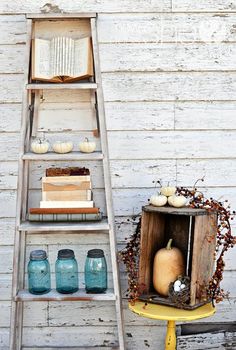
82, 57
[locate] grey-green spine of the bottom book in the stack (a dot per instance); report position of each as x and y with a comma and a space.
64, 217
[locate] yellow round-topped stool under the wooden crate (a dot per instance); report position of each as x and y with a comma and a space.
171, 314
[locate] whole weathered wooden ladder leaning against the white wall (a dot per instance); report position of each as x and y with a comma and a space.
19, 294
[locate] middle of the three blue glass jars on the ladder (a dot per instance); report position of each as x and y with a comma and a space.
66, 272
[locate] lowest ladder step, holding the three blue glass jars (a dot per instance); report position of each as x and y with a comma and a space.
53, 295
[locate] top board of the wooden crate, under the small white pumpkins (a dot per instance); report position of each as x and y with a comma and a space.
175, 211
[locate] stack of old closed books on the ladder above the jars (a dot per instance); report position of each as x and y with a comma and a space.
66, 196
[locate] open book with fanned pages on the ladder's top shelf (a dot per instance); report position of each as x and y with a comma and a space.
61, 59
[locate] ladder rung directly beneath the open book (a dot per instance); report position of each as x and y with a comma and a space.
62, 86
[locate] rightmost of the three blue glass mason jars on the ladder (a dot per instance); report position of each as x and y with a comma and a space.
95, 271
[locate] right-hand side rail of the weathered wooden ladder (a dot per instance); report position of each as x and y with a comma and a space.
108, 187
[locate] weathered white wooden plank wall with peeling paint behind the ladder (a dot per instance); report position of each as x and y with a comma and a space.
169, 76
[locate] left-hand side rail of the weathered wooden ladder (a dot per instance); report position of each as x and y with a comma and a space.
16, 309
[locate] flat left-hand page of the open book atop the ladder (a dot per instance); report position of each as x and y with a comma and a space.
41, 59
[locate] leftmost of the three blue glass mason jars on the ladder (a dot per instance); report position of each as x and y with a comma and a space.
39, 273
